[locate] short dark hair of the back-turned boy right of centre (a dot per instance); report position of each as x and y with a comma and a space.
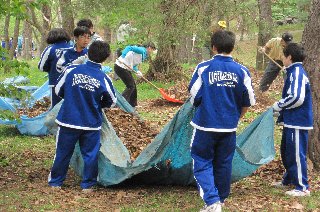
223, 40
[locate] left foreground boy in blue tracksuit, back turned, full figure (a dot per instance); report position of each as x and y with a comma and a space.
86, 90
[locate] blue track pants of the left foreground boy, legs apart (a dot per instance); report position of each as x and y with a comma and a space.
89, 141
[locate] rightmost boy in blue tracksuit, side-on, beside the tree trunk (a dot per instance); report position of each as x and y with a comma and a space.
296, 116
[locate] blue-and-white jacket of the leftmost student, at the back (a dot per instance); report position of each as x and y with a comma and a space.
49, 59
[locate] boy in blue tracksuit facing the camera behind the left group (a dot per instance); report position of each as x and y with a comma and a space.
82, 36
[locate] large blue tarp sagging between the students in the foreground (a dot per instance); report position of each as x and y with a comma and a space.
167, 159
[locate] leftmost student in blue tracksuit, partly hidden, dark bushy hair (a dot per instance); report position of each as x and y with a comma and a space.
58, 40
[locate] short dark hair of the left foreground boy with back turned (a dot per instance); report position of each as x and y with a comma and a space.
99, 51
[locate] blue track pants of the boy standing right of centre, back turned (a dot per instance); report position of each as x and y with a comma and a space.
212, 154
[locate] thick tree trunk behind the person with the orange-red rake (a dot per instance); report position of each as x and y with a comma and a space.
172, 31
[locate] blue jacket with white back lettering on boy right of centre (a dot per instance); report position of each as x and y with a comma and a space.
219, 88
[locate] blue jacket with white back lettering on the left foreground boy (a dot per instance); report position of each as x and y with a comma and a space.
86, 90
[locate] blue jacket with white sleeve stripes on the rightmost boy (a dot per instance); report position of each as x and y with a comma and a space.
296, 104
